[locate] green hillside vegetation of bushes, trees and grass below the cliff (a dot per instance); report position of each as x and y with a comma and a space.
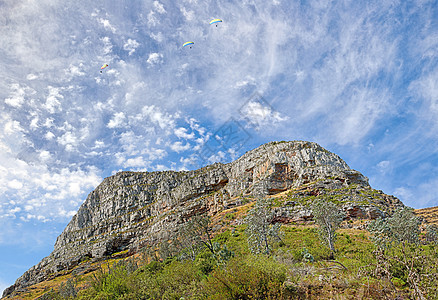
299, 266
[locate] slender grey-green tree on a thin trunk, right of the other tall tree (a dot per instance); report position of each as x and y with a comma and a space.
328, 218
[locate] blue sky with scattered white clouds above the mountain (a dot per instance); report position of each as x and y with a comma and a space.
360, 78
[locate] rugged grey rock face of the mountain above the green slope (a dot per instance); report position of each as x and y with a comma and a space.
131, 209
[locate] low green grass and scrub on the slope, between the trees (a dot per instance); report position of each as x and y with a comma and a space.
283, 275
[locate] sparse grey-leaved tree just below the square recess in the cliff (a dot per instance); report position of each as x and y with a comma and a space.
261, 233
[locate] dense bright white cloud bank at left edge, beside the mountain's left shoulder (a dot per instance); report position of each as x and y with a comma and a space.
37, 189
